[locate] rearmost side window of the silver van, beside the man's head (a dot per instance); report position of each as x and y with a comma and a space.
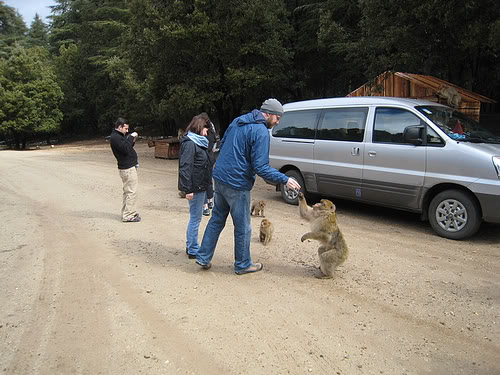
297, 124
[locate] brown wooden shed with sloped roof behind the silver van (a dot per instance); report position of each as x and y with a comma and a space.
418, 86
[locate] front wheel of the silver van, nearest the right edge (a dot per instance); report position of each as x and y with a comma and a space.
454, 214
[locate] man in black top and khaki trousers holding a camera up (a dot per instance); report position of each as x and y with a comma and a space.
122, 145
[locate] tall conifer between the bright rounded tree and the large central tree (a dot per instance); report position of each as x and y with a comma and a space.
86, 34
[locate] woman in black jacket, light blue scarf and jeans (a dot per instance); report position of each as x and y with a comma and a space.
194, 177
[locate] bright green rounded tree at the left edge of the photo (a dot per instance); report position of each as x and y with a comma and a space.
29, 95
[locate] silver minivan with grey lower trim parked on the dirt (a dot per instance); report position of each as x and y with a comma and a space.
408, 154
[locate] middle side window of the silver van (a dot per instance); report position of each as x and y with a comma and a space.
343, 124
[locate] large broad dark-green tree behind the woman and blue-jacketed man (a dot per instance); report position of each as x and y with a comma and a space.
221, 56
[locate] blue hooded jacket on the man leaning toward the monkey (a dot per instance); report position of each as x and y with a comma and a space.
244, 152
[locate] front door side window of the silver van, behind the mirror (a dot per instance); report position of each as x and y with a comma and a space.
390, 124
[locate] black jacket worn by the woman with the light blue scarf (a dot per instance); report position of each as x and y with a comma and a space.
194, 167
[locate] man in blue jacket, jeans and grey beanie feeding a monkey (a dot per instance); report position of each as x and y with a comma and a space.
244, 152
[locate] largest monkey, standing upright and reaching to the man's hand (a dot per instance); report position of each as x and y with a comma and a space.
333, 250
